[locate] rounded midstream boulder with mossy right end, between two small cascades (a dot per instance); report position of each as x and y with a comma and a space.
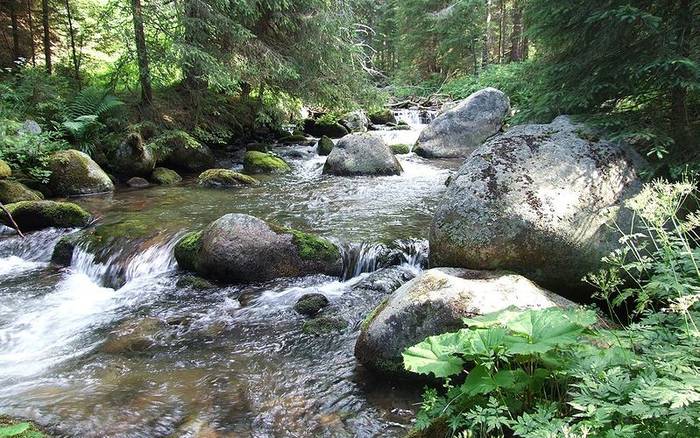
238, 248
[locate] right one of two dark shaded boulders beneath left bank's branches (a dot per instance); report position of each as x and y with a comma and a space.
179, 150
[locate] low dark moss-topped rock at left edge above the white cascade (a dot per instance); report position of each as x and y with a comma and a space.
37, 215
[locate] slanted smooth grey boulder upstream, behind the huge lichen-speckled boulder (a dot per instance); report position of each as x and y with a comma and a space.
457, 132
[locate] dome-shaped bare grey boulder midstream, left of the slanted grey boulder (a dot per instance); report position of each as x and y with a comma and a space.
362, 154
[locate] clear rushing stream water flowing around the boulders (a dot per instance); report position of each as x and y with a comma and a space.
231, 361
